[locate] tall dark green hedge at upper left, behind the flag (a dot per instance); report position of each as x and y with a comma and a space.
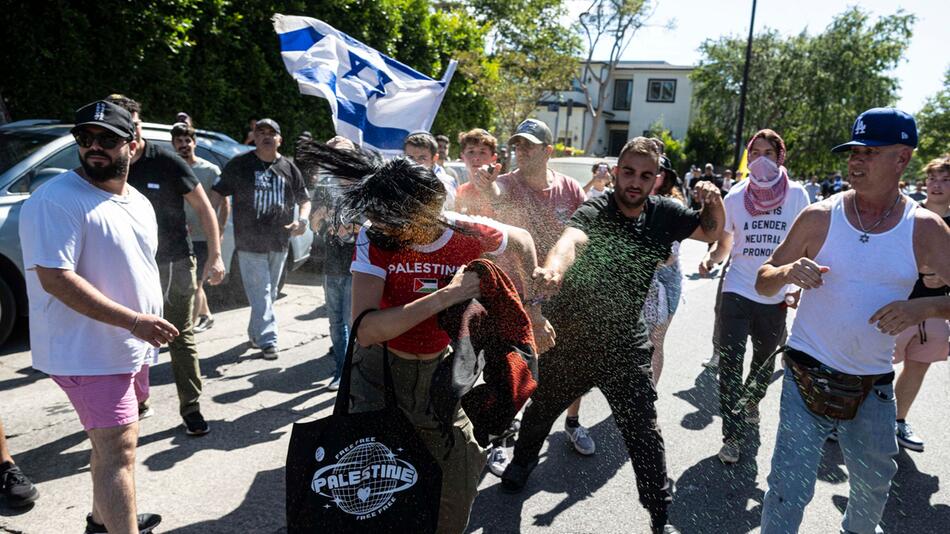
216, 59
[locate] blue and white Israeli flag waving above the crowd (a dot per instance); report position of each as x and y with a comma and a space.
377, 101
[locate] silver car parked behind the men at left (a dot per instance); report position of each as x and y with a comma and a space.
32, 152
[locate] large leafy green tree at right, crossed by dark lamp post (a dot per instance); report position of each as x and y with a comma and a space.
808, 88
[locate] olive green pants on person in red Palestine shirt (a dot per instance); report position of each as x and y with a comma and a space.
462, 469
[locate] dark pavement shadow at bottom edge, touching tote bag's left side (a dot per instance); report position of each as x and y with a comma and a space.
261, 512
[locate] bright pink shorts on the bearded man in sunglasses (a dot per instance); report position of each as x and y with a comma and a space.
106, 401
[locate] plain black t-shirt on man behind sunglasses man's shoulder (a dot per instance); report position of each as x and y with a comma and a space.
165, 178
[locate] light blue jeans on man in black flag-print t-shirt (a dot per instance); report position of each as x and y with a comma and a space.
260, 272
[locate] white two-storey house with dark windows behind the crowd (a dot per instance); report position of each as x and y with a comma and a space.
639, 94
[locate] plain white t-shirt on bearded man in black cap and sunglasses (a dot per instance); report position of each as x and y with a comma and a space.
110, 241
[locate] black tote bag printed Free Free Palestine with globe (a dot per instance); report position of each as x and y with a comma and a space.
361, 472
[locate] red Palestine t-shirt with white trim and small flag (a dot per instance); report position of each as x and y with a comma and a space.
414, 272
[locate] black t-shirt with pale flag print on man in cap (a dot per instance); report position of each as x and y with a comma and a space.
264, 195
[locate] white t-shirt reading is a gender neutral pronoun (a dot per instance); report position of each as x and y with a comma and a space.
755, 238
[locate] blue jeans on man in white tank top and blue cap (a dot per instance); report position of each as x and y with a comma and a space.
867, 442
